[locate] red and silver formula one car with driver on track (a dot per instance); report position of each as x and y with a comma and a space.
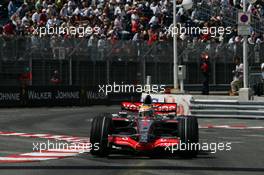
144, 127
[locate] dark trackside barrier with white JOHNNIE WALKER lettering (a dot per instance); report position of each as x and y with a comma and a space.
60, 96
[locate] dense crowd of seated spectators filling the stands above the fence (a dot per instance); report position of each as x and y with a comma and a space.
136, 20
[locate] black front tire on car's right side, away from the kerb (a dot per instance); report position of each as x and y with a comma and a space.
189, 136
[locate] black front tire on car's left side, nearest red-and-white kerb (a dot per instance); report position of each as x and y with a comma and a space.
99, 135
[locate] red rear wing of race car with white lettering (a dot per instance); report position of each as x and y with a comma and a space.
158, 107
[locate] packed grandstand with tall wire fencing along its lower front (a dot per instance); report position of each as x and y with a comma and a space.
132, 33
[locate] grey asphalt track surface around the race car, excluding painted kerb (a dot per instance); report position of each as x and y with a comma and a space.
245, 157
